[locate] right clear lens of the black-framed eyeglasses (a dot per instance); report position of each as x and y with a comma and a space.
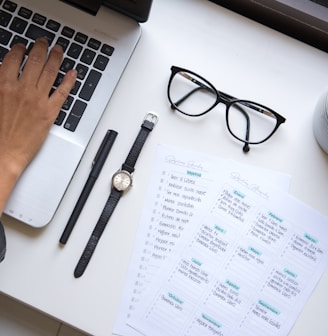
250, 122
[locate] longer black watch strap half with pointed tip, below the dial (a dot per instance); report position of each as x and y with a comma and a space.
109, 208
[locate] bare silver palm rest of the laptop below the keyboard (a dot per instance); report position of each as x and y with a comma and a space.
43, 184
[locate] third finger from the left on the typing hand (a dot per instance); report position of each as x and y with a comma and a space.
51, 68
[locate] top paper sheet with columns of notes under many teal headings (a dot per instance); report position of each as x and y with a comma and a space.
247, 265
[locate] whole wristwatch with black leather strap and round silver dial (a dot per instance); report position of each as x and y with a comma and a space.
121, 182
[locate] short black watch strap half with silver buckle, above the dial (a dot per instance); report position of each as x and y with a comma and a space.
147, 126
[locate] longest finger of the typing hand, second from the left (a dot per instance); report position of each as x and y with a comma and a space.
35, 62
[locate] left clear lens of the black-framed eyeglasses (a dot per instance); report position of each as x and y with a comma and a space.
190, 94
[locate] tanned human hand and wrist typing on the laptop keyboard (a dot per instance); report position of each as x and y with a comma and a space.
26, 110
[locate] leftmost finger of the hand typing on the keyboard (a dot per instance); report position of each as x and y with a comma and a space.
12, 62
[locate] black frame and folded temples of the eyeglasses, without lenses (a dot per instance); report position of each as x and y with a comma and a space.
226, 99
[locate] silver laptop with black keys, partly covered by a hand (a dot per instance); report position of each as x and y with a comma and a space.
99, 38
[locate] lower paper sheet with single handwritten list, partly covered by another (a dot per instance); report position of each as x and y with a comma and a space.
175, 196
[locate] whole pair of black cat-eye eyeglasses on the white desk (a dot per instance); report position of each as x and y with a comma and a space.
247, 121
